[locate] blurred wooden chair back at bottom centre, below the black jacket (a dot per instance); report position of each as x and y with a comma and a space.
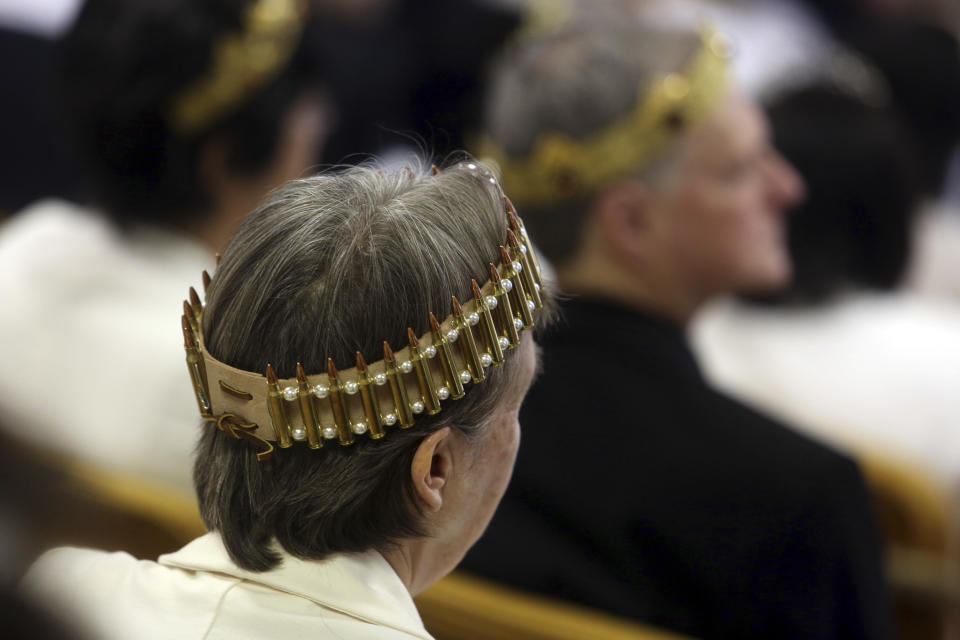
463, 607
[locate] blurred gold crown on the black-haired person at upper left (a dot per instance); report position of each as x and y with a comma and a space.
242, 62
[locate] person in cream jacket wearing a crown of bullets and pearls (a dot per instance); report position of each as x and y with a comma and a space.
332, 498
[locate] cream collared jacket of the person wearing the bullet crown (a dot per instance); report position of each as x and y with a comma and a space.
199, 593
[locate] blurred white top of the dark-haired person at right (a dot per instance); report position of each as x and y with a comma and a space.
875, 373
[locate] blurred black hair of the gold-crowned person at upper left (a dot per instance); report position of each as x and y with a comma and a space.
123, 63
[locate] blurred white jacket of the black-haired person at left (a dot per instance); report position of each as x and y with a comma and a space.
93, 359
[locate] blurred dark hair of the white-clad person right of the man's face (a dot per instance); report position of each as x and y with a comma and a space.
853, 229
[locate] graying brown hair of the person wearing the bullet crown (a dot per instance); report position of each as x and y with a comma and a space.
327, 266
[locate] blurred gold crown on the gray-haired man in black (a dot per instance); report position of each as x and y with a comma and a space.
559, 166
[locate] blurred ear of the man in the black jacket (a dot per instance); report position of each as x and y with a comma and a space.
622, 214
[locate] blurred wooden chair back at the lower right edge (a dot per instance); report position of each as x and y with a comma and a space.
919, 528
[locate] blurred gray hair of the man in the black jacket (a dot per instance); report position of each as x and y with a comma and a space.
578, 82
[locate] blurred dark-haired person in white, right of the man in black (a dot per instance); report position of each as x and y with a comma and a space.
843, 351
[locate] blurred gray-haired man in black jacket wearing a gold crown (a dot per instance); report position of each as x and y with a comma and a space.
639, 489
